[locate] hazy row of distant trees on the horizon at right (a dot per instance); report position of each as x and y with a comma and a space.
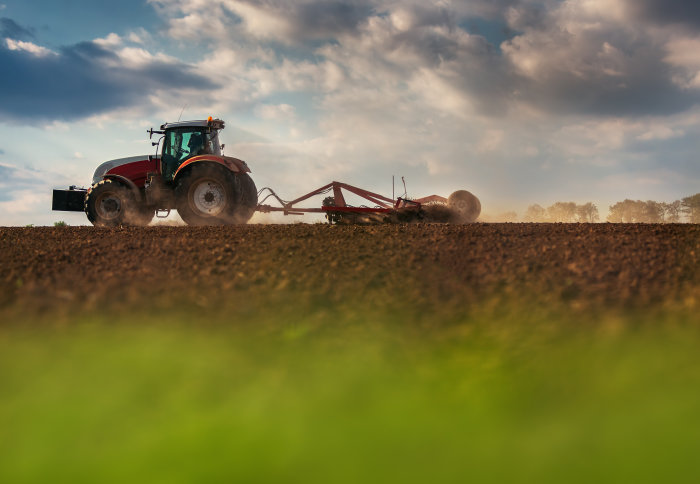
628, 211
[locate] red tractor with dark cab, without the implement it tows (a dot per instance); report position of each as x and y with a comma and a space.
191, 175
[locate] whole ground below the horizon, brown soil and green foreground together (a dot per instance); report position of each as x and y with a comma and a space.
316, 353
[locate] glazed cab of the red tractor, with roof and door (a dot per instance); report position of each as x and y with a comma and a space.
187, 139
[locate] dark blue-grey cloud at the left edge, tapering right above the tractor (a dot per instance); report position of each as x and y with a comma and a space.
82, 80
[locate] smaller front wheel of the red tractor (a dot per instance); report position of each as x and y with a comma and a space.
110, 204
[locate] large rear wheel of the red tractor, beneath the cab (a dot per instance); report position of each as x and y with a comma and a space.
206, 195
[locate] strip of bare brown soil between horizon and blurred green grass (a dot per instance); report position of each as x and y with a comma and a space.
417, 269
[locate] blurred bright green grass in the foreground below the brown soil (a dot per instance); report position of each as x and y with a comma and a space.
514, 395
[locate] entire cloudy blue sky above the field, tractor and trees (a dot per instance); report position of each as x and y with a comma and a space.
517, 101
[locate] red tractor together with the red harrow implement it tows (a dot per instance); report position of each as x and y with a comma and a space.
191, 175
